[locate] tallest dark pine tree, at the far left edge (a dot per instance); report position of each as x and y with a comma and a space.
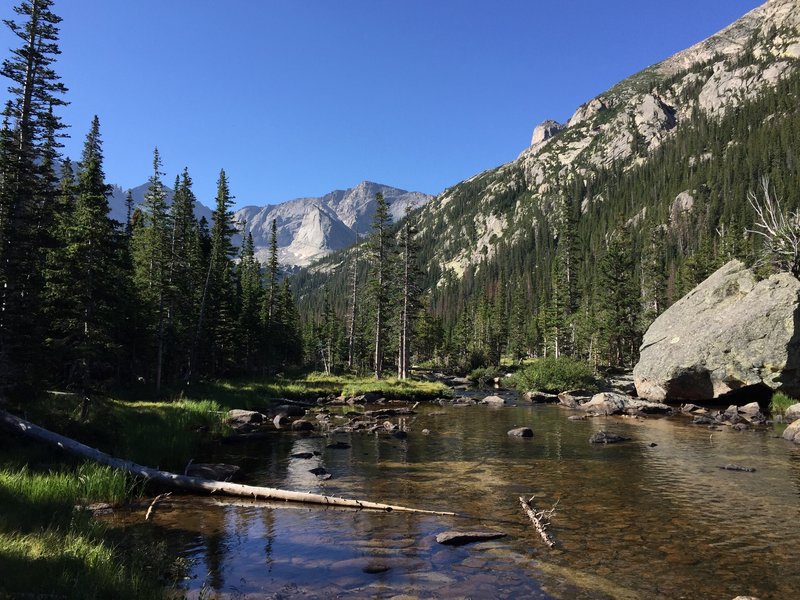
27, 152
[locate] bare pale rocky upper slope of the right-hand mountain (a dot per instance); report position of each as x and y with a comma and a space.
621, 128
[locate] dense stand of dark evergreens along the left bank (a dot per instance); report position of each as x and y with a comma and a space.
87, 301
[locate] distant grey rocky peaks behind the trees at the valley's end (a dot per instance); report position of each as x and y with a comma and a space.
307, 228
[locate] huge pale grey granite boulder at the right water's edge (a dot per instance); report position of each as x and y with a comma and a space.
727, 334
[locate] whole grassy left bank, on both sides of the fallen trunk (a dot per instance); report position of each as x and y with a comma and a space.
50, 547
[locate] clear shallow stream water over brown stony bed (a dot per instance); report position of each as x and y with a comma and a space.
651, 518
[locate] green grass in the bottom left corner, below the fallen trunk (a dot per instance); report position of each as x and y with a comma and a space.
50, 546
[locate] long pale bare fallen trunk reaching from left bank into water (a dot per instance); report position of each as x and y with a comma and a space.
194, 484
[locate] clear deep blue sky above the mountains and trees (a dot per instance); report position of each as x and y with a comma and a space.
300, 97
